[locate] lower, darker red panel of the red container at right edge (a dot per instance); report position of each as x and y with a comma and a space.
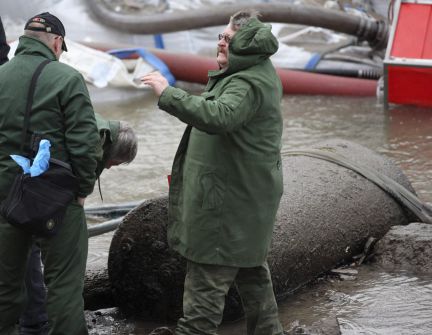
410, 85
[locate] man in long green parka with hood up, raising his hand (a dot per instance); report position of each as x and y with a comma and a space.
226, 180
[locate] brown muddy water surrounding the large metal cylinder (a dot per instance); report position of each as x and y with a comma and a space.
376, 302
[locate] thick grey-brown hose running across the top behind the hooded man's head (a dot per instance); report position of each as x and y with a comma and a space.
373, 31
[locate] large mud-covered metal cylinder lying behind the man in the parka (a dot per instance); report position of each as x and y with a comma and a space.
326, 215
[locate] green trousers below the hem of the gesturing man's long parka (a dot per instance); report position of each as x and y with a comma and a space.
204, 299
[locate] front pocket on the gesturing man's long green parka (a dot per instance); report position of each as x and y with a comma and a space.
213, 188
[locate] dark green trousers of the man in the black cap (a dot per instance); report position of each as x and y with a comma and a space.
64, 256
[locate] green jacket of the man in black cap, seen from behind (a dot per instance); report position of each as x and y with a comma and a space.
62, 113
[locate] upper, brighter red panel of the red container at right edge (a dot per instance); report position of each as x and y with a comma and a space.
413, 35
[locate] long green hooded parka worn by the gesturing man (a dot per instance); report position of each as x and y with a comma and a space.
226, 180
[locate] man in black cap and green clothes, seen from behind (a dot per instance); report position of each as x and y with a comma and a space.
62, 113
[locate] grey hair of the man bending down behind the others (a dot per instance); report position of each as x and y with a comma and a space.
124, 149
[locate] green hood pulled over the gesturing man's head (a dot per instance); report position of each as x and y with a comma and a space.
252, 44
